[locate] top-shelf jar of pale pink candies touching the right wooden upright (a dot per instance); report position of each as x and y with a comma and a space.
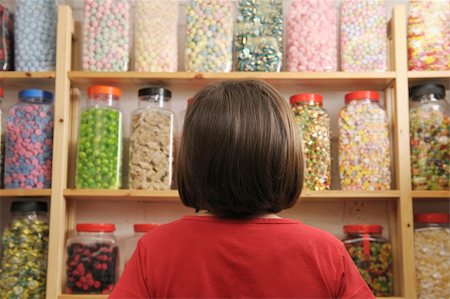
363, 35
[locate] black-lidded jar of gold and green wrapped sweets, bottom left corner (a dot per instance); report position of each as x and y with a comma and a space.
25, 243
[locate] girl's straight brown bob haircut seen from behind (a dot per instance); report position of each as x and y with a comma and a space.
240, 153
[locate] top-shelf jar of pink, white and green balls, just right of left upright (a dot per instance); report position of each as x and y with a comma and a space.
106, 36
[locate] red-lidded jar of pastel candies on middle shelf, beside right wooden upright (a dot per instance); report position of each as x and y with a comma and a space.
364, 144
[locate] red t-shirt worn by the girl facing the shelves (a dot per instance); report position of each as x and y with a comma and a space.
208, 257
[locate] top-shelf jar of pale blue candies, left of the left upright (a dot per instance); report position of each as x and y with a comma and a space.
35, 35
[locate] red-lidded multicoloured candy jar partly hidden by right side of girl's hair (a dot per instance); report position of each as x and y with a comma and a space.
314, 124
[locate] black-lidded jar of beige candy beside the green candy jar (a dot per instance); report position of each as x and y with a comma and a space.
151, 141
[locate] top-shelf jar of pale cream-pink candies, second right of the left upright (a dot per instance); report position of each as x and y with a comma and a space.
155, 37
